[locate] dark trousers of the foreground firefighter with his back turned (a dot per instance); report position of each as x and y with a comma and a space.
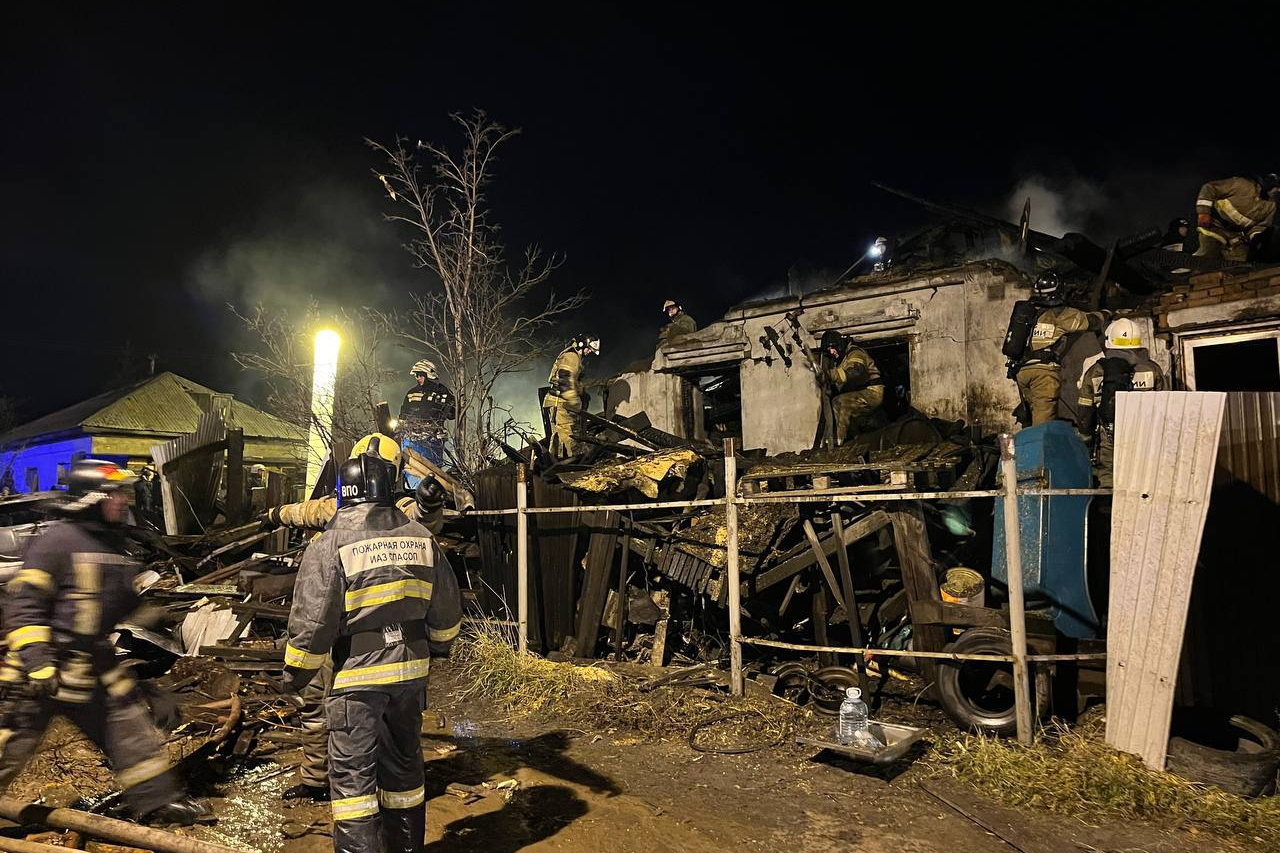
376, 769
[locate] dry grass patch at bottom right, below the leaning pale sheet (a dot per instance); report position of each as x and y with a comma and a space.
1073, 772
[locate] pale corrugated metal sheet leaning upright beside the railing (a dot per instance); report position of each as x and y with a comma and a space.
1167, 449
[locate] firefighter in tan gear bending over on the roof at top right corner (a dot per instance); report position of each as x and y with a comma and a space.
1233, 212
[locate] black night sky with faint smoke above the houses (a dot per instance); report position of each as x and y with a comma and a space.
157, 166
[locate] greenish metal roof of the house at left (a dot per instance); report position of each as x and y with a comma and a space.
162, 405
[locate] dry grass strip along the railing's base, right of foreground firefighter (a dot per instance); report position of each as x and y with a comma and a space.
595, 697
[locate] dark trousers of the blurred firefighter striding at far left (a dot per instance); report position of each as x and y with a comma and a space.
124, 732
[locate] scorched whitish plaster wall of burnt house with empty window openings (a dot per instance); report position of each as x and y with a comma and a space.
936, 336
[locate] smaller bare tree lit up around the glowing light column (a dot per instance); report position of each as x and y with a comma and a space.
285, 354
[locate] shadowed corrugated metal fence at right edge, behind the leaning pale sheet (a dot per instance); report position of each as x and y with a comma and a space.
1232, 653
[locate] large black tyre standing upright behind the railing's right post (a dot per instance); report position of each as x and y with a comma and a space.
980, 695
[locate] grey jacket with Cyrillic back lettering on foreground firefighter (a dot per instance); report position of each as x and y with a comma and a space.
376, 592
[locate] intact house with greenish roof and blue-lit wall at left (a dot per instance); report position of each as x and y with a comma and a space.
125, 425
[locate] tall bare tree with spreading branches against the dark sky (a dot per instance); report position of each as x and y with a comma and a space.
486, 318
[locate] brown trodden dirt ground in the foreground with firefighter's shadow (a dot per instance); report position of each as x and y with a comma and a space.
586, 792
